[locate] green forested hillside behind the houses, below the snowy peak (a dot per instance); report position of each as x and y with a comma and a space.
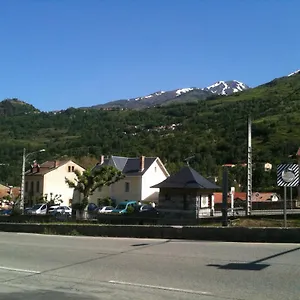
212, 130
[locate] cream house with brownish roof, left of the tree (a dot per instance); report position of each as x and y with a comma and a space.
48, 181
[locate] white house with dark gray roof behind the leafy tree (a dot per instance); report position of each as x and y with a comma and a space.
140, 174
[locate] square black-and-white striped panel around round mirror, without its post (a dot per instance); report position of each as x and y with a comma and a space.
288, 175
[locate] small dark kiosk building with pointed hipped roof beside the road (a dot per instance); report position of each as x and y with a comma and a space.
186, 194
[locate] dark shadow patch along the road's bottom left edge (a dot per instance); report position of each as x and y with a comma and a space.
44, 295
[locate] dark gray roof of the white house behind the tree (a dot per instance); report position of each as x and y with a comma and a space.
128, 166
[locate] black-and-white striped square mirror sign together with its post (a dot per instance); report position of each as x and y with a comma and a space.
287, 176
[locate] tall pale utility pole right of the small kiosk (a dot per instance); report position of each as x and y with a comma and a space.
249, 168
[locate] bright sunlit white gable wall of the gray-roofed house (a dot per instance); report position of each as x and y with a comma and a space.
152, 176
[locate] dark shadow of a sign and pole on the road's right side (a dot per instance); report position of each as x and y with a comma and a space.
253, 265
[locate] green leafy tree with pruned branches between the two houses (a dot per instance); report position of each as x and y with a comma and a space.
90, 180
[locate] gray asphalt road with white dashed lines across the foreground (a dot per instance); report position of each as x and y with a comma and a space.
48, 267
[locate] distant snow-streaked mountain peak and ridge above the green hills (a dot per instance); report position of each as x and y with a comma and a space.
164, 97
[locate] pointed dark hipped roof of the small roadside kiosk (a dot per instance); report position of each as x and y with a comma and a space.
187, 177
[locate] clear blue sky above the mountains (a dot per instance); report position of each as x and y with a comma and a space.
56, 54
